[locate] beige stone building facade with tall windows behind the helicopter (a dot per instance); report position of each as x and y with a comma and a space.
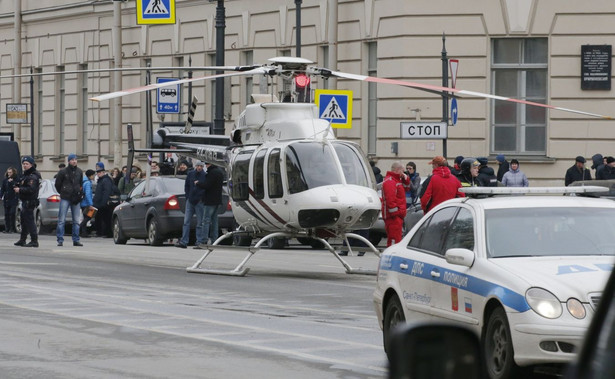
527, 49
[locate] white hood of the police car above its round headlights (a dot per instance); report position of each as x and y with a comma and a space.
565, 277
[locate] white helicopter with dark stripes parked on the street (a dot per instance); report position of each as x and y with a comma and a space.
289, 177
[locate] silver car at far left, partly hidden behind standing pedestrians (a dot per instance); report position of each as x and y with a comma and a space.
46, 214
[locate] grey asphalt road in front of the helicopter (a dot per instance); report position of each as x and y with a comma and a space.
112, 311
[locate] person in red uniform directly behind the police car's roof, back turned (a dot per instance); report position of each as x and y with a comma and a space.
440, 186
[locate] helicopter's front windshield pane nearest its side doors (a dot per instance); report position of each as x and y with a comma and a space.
310, 165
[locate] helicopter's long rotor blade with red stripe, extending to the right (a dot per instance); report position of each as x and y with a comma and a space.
443, 91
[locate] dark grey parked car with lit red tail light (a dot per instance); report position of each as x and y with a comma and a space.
154, 211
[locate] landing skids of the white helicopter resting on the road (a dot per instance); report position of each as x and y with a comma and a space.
240, 270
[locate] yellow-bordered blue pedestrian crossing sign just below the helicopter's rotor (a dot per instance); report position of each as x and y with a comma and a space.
335, 106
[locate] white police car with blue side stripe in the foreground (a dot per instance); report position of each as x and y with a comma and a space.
524, 272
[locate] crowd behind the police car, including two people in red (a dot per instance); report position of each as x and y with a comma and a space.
400, 189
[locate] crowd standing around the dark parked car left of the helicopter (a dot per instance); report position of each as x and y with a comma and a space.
94, 194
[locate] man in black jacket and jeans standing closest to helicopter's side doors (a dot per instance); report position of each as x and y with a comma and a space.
212, 199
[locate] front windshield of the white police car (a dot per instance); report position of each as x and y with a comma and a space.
549, 232
